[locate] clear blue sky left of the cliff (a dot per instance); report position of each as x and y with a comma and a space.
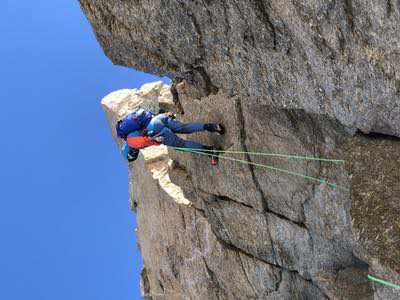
65, 226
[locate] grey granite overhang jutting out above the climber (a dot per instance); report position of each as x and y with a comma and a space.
324, 56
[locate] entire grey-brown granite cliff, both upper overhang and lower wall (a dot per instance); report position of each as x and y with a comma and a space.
306, 78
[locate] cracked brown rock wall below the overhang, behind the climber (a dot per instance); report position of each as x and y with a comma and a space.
278, 236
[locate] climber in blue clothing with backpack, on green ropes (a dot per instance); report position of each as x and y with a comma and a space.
141, 129
